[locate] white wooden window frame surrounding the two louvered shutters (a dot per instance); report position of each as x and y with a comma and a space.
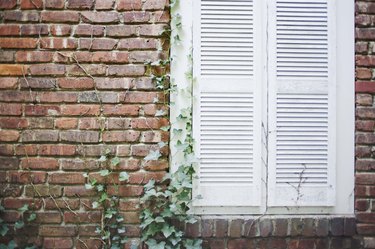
345, 113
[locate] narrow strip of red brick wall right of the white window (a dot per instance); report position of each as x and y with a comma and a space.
365, 121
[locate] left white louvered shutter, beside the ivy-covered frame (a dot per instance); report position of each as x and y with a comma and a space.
227, 123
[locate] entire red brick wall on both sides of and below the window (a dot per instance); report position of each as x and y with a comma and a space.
73, 84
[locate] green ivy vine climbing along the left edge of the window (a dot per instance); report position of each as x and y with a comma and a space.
166, 204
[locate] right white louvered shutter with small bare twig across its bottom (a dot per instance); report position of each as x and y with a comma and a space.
302, 103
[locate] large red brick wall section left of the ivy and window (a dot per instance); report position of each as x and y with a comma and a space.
74, 84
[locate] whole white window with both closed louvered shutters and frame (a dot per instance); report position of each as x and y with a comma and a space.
274, 104
